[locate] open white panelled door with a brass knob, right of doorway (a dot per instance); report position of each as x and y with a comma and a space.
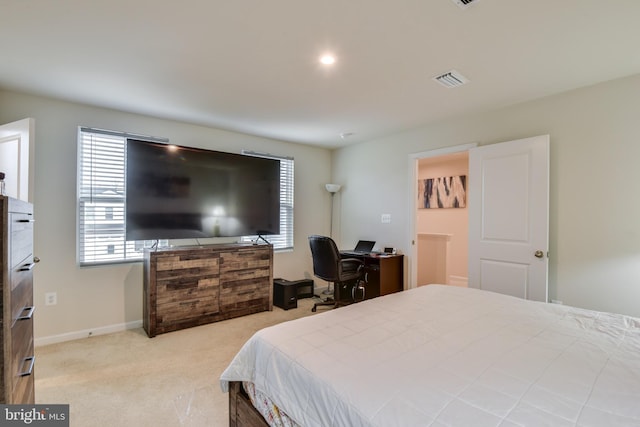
509, 217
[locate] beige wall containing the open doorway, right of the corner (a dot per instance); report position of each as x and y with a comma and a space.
594, 195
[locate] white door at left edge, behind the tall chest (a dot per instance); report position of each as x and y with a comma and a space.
15, 152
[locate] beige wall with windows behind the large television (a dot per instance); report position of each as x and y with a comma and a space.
102, 299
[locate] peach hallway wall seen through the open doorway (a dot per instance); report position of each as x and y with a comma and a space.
451, 222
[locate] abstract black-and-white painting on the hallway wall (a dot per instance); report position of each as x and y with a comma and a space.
445, 192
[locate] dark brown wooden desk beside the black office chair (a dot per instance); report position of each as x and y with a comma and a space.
385, 273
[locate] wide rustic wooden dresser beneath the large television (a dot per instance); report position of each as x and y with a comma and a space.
191, 286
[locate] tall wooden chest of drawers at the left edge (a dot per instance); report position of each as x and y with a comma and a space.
17, 261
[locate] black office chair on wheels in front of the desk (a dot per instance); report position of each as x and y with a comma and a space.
345, 273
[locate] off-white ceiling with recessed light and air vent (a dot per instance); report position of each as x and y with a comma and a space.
252, 66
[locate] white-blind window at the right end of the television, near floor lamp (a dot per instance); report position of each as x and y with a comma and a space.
284, 240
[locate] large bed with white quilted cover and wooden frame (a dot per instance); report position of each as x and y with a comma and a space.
442, 356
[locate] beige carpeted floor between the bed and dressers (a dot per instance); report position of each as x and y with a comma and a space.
127, 379
